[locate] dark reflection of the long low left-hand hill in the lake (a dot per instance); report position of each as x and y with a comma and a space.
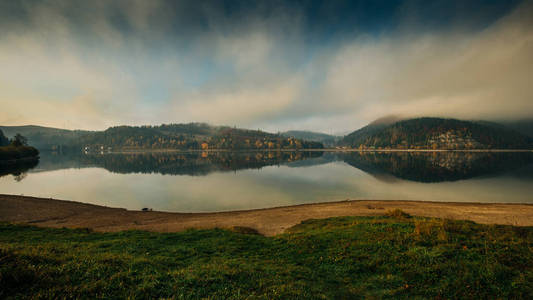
175, 163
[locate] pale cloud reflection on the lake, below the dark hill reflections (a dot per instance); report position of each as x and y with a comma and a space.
252, 188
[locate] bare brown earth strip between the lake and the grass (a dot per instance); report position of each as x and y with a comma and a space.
271, 221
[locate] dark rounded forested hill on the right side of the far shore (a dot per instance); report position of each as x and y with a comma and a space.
437, 133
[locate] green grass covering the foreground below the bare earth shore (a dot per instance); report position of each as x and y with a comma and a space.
348, 257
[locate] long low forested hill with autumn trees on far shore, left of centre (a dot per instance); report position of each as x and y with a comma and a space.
192, 136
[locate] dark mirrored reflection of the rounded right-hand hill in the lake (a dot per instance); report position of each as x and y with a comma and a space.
437, 166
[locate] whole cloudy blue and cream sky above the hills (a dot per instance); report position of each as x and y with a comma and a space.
327, 66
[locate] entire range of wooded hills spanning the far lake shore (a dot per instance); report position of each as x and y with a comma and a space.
389, 132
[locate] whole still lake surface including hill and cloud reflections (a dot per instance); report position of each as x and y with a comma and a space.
221, 181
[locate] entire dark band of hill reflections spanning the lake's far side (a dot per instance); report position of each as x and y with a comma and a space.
385, 166
